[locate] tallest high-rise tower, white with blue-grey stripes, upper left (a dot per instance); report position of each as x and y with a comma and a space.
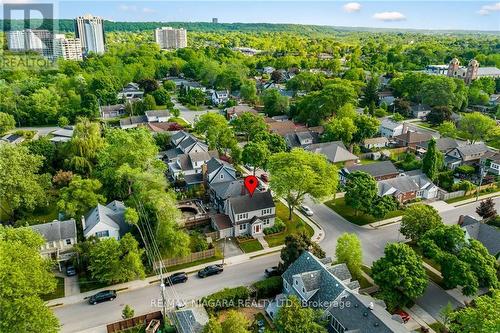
90, 30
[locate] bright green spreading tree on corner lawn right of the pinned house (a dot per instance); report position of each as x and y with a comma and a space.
299, 172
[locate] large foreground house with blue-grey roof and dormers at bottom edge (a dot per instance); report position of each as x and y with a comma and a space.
330, 290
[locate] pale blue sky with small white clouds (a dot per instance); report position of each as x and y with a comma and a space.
438, 15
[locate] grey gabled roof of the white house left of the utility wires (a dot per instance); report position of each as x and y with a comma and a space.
113, 214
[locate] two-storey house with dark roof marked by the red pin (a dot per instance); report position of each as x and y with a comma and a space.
249, 214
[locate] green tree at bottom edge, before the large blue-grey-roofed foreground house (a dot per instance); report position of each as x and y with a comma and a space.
292, 317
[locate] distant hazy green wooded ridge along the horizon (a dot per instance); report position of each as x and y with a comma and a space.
67, 25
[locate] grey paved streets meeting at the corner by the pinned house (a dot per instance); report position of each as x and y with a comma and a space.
77, 317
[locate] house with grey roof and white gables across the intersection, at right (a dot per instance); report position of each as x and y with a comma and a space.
408, 187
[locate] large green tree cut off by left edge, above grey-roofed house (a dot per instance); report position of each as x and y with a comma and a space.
21, 185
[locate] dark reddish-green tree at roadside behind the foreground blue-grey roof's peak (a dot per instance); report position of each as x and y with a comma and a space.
295, 245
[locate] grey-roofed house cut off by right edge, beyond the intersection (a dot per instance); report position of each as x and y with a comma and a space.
488, 235
